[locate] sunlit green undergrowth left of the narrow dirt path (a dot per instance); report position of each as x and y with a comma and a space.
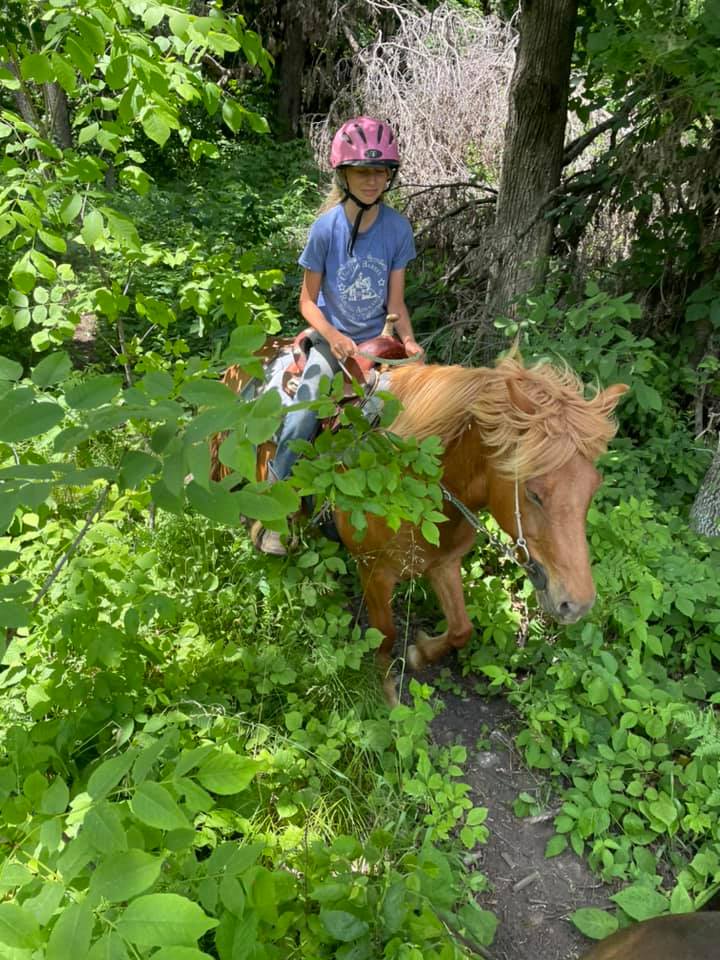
196, 740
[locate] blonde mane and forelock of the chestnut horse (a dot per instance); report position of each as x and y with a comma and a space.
446, 401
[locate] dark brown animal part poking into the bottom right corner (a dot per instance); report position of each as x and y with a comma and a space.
683, 936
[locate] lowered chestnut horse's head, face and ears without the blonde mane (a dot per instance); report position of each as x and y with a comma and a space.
553, 506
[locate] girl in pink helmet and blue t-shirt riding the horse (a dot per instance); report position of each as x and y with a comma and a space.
354, 262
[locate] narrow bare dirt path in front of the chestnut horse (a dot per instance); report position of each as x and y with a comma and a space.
532, 896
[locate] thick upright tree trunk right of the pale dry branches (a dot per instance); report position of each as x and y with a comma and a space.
533, 152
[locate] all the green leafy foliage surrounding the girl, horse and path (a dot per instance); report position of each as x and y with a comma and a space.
196, 762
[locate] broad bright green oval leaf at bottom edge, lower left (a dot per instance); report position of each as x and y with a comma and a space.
163, 920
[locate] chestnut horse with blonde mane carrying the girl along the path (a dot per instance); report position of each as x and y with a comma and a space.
519, 442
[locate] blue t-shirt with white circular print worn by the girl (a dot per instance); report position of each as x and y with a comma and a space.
353, 294
